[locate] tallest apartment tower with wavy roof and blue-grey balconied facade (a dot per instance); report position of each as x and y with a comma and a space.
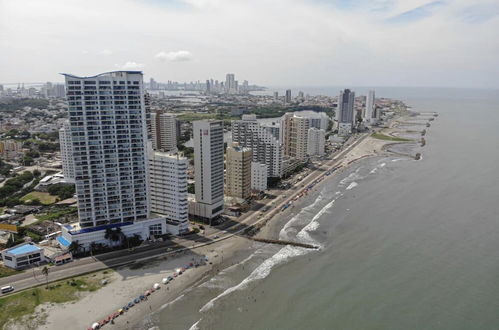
108, 130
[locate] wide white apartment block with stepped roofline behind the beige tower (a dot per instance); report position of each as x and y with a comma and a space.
266, 147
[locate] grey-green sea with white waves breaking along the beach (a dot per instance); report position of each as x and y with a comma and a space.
405, 244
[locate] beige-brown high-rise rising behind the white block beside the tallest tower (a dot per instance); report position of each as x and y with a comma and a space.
164, 131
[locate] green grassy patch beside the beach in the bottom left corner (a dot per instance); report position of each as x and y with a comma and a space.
16, 306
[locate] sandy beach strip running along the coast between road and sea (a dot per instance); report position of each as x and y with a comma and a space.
128, 283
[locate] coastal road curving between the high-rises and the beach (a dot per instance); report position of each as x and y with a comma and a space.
32, 277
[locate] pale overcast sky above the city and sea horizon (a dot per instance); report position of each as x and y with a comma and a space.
268, 42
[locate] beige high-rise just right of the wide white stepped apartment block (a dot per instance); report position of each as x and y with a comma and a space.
295, 136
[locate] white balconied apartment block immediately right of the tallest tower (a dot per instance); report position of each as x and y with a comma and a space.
168, 187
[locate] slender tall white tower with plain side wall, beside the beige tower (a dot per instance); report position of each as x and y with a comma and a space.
208, 169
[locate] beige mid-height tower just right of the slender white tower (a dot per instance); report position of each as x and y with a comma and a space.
238, 171
